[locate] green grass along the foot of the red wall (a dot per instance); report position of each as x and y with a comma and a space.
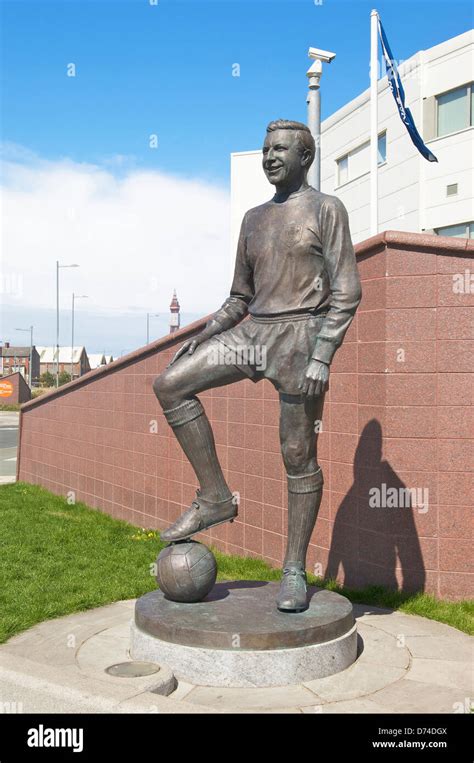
57, 558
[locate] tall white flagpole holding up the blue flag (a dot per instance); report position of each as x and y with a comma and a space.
374, 191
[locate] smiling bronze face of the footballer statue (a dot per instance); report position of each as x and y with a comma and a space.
283, 161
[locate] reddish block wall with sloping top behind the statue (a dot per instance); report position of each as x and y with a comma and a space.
398, 414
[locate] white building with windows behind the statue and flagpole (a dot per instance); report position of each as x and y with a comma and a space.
414, 194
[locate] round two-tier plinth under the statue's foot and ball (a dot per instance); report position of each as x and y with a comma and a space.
237, 637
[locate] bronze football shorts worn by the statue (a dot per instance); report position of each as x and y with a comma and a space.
277, 348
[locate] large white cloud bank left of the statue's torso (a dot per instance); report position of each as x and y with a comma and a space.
136, 236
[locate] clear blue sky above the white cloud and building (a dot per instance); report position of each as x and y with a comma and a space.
166, 69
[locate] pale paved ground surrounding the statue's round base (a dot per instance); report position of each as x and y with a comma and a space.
406, 664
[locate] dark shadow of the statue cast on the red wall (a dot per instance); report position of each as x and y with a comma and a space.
375, 538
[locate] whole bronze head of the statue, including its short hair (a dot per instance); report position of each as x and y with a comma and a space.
288, 152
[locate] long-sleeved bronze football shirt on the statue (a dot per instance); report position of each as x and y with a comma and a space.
296, 256
